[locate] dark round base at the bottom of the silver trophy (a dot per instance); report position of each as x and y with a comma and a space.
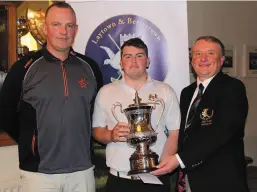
143, 163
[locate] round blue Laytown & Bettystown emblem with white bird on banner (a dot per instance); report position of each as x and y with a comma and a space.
106, 40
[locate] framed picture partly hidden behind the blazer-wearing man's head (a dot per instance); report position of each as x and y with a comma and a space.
229, 65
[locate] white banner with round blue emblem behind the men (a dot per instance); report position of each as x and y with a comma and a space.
105, 25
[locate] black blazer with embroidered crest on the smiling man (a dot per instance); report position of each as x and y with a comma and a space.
212, 148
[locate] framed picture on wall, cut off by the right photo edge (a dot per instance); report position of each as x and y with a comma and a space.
250, 60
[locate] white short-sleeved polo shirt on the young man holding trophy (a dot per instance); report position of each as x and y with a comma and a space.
118, 154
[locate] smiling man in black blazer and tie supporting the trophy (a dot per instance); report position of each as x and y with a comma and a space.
213, 114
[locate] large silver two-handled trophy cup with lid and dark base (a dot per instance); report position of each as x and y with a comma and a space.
141, 135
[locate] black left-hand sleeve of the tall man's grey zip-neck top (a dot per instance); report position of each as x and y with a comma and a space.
9, 100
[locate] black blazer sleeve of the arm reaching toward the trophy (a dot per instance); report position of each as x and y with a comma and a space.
227, 124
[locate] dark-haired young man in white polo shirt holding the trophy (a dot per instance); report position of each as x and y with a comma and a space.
134, 62
